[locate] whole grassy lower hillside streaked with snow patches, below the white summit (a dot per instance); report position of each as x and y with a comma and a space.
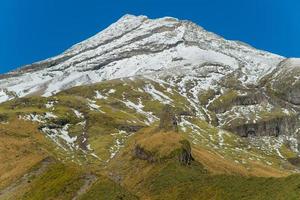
95, 132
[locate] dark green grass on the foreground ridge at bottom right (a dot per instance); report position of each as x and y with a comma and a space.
192, 182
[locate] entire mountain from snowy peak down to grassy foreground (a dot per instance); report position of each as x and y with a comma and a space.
152, 109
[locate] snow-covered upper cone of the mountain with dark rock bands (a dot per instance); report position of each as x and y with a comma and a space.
136, 45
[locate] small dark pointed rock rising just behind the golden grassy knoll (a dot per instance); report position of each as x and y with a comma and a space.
168, 120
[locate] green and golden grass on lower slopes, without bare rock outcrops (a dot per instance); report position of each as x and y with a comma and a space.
217, 173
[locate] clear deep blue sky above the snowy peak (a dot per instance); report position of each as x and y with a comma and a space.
32, 30
